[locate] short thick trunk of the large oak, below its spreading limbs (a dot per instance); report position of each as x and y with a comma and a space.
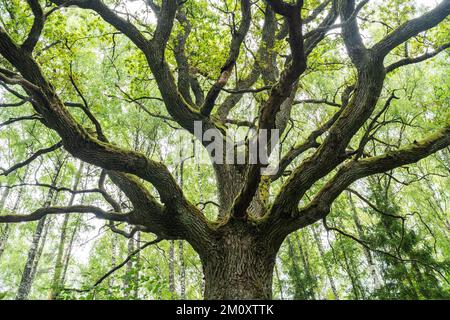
240, 267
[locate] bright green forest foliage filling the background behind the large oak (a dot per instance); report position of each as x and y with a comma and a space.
405, 220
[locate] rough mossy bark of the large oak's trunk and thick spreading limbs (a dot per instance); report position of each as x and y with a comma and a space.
238, 250
